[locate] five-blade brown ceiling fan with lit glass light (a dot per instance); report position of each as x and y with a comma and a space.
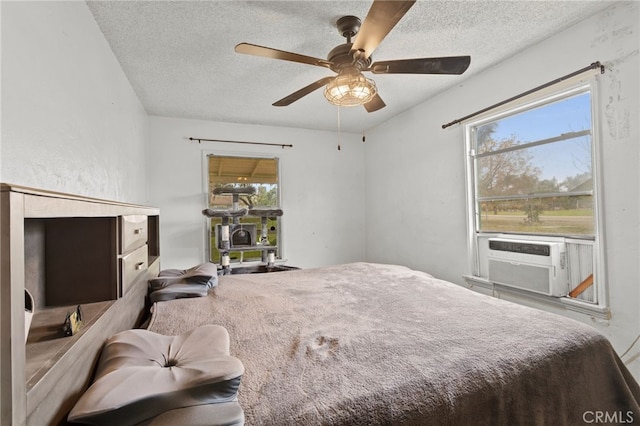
350, 87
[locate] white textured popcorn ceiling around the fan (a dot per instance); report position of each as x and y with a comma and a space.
179, 56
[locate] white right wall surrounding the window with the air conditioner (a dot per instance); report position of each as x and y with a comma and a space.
423, 173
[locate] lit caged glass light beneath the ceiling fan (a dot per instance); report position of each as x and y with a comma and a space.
350, 88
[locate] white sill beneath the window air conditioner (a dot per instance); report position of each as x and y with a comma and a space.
558, 302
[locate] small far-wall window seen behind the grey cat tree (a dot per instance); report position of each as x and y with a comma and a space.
243, 172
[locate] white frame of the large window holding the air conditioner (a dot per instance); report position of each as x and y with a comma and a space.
554, 93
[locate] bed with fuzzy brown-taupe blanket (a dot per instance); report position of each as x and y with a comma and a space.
375, 344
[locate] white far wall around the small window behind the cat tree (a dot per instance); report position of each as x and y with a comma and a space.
321, 188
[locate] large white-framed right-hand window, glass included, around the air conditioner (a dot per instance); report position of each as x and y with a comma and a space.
532, 176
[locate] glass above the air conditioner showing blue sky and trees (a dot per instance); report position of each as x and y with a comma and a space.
533, 170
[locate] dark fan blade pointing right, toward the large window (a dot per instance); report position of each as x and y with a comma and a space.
447, 65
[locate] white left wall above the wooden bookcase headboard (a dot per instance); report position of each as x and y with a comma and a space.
70, 120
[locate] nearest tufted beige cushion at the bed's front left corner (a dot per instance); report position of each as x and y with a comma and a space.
149, 378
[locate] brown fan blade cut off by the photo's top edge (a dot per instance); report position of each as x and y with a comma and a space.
382, 17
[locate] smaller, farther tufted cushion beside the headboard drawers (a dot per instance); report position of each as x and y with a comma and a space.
180, 283
